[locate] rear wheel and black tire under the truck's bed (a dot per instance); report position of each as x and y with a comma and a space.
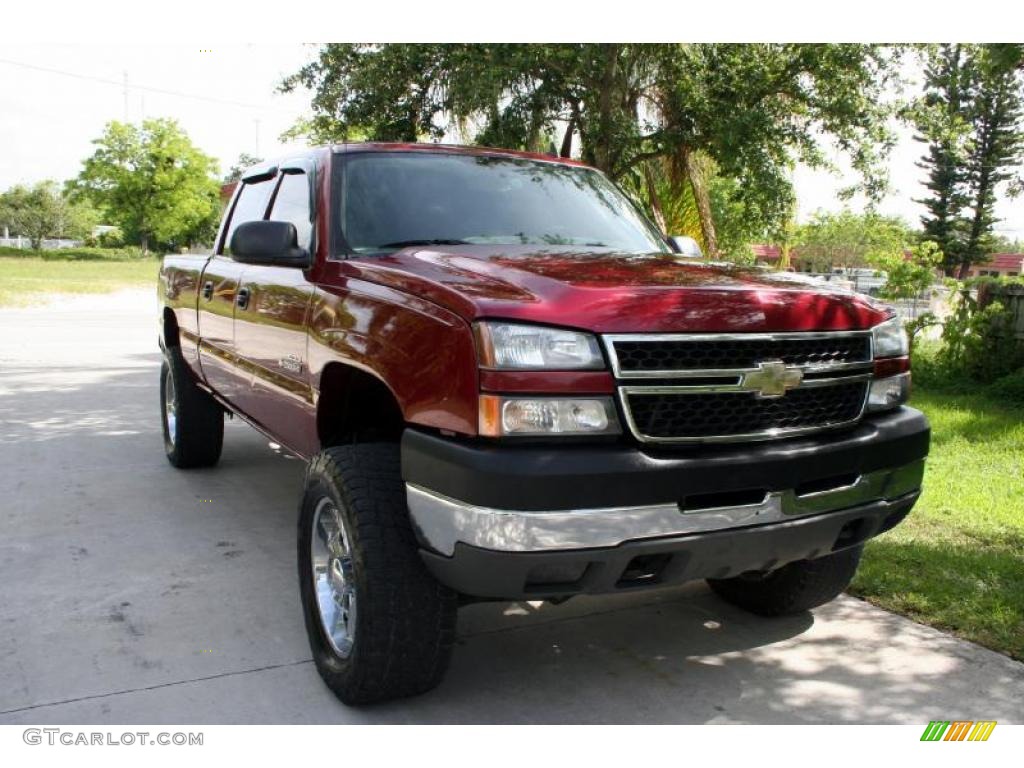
199, 421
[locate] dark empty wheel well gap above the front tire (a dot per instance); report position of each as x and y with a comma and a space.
356, 407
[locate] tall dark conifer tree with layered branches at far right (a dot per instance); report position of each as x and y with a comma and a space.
972, 118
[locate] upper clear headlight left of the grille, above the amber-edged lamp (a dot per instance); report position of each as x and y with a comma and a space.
511, 347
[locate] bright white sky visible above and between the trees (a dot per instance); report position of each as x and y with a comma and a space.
55, 100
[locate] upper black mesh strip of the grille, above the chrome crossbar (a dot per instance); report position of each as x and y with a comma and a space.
716, 354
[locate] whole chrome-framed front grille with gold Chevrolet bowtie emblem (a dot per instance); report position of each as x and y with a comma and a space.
729, 388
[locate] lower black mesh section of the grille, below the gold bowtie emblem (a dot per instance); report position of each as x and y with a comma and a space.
667, 416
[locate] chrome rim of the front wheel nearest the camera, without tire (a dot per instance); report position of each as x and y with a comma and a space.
334, 583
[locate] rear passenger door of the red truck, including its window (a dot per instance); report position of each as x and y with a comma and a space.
219, 293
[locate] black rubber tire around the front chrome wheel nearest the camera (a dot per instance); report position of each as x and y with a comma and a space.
405, 629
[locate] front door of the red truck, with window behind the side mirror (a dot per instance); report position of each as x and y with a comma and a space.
271, 324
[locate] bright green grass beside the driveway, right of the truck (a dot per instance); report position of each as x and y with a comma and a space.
958, 561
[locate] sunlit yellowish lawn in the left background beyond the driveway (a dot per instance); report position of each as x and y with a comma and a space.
25, 281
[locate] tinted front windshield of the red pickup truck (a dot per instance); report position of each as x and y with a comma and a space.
393, 200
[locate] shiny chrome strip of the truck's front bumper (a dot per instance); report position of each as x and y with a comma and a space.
442, 523
